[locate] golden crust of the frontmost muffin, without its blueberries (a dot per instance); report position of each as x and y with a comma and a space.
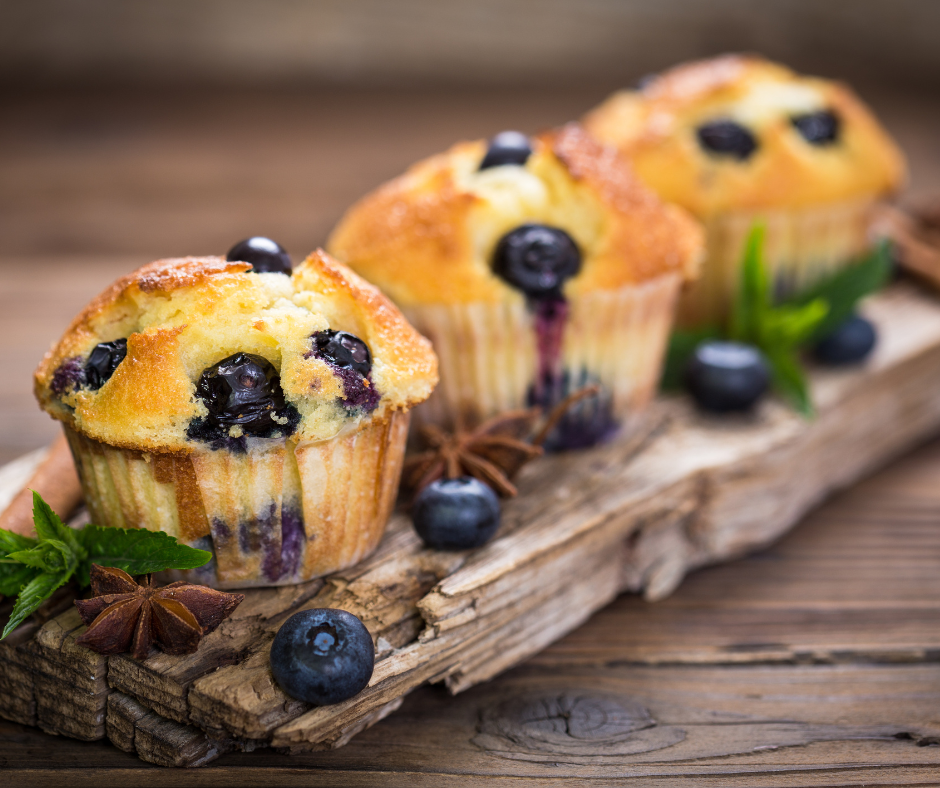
180, 316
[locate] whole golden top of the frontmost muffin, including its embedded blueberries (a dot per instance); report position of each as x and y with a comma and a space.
199, 352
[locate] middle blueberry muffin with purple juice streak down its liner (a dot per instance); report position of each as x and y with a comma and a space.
536, 266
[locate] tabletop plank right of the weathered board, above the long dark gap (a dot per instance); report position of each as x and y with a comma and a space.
857, 580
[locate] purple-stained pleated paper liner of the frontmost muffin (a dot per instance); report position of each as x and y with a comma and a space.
280, 513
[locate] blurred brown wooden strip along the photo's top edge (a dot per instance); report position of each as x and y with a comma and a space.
492, 43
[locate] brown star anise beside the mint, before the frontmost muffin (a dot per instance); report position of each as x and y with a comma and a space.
126, 616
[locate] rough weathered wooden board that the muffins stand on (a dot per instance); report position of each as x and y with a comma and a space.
634, 515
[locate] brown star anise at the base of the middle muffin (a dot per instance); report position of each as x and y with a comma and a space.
493, 452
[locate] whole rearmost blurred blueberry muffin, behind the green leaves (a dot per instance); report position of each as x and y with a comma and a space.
738, 139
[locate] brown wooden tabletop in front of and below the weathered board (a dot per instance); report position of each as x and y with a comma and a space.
814, 662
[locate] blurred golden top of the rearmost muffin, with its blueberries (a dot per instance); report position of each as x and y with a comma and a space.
739, 133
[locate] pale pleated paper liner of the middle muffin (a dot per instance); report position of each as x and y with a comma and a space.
489, 358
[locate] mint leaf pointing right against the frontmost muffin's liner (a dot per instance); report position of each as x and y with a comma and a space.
139, 551
